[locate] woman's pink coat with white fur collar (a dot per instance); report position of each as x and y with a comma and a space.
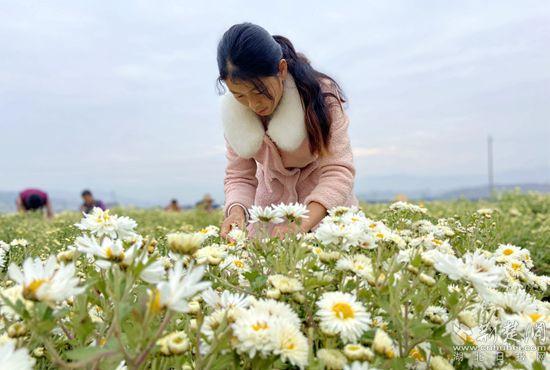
274, 166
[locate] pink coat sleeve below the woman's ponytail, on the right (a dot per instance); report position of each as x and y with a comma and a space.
337, 169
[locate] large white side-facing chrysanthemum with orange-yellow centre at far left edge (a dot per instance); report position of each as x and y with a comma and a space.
46, 281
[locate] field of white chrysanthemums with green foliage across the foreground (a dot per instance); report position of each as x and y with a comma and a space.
440, 285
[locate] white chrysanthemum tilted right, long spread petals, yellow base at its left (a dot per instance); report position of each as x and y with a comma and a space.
181, 285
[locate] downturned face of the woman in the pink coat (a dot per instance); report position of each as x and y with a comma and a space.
247, 94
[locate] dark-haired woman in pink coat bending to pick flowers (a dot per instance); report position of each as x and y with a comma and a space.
285, 130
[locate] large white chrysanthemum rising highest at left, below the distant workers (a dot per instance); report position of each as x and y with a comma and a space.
101, 223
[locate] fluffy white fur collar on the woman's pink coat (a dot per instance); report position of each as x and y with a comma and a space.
245, 132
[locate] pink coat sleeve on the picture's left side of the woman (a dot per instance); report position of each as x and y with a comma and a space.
240, 181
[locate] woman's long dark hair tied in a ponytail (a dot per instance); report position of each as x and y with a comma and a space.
248, 52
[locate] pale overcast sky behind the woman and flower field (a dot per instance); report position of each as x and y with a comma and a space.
120, 95
